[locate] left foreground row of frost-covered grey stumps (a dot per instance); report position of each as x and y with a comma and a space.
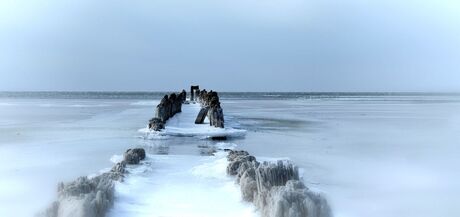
91, 197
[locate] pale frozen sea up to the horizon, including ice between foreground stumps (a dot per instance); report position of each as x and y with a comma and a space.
370, 154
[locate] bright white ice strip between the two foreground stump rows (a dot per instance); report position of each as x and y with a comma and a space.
180, 186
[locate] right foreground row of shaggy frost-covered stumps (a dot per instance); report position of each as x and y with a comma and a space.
275, 188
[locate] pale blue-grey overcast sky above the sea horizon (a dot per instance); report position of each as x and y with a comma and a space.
230, 45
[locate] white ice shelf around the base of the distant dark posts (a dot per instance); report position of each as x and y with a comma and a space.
183, 124
